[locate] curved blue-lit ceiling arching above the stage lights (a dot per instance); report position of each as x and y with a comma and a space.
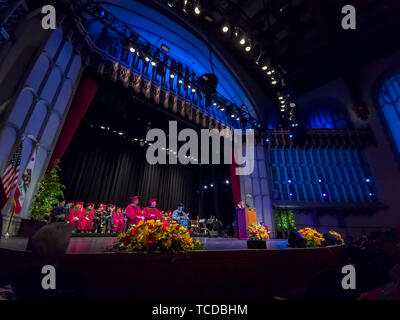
184, 46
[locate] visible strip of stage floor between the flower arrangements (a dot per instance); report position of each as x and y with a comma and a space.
99, 244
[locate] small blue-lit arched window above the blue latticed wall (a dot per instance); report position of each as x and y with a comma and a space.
326, 114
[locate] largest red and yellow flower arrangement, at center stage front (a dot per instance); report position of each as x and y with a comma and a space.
151, 236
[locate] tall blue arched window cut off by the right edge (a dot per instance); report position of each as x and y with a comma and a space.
389, 102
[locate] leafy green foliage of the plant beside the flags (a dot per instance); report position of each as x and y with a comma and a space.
50, 190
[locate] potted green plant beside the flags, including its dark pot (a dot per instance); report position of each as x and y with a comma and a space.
50, 190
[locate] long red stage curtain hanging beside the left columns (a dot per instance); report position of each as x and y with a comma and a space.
84, 95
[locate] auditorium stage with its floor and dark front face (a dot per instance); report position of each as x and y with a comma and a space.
226, 270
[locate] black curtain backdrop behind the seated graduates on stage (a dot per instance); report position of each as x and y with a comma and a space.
102, 166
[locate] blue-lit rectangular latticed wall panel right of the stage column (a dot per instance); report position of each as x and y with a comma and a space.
321, 175
